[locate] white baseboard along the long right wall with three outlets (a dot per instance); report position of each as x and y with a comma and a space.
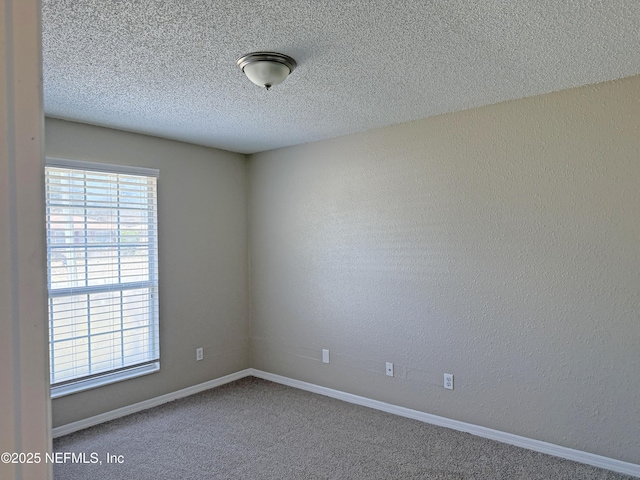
509, 438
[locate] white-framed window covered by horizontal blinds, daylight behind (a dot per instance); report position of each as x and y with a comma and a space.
102, 273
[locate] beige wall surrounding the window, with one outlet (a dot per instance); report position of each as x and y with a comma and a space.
202, 229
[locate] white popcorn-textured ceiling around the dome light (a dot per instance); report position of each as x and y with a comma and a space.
167, 68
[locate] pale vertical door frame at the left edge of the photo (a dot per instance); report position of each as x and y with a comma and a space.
25, 416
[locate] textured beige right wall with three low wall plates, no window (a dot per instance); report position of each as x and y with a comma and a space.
500, 244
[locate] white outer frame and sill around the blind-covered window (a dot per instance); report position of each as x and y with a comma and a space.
71, 386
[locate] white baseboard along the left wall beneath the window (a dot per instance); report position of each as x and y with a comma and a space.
152, 402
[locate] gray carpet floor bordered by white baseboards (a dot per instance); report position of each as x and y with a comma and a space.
254, 429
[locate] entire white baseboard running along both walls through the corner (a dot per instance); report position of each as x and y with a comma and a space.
509, 438
